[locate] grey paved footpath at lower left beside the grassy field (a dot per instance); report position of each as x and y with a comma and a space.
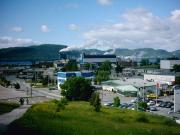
7, 118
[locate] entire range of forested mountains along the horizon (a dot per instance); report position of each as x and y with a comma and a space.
50, 52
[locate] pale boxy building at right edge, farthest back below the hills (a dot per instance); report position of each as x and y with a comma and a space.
168, 64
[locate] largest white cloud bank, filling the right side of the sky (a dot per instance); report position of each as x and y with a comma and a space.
139, 29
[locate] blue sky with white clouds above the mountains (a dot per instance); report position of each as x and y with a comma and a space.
100, 24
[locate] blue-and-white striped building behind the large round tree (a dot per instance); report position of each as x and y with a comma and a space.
63, 76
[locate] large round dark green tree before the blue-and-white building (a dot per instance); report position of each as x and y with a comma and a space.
77, 88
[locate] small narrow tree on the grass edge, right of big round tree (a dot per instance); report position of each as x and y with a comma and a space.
95, 101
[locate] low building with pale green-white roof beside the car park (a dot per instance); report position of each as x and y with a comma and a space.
131, 87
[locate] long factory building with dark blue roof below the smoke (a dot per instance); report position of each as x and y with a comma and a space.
96, 59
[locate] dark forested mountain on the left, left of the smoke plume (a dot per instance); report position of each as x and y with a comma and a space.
41, 52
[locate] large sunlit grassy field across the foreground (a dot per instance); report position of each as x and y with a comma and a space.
78, 118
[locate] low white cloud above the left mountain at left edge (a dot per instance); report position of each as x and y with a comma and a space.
6, 42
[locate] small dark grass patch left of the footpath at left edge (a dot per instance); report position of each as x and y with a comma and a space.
7, 107
